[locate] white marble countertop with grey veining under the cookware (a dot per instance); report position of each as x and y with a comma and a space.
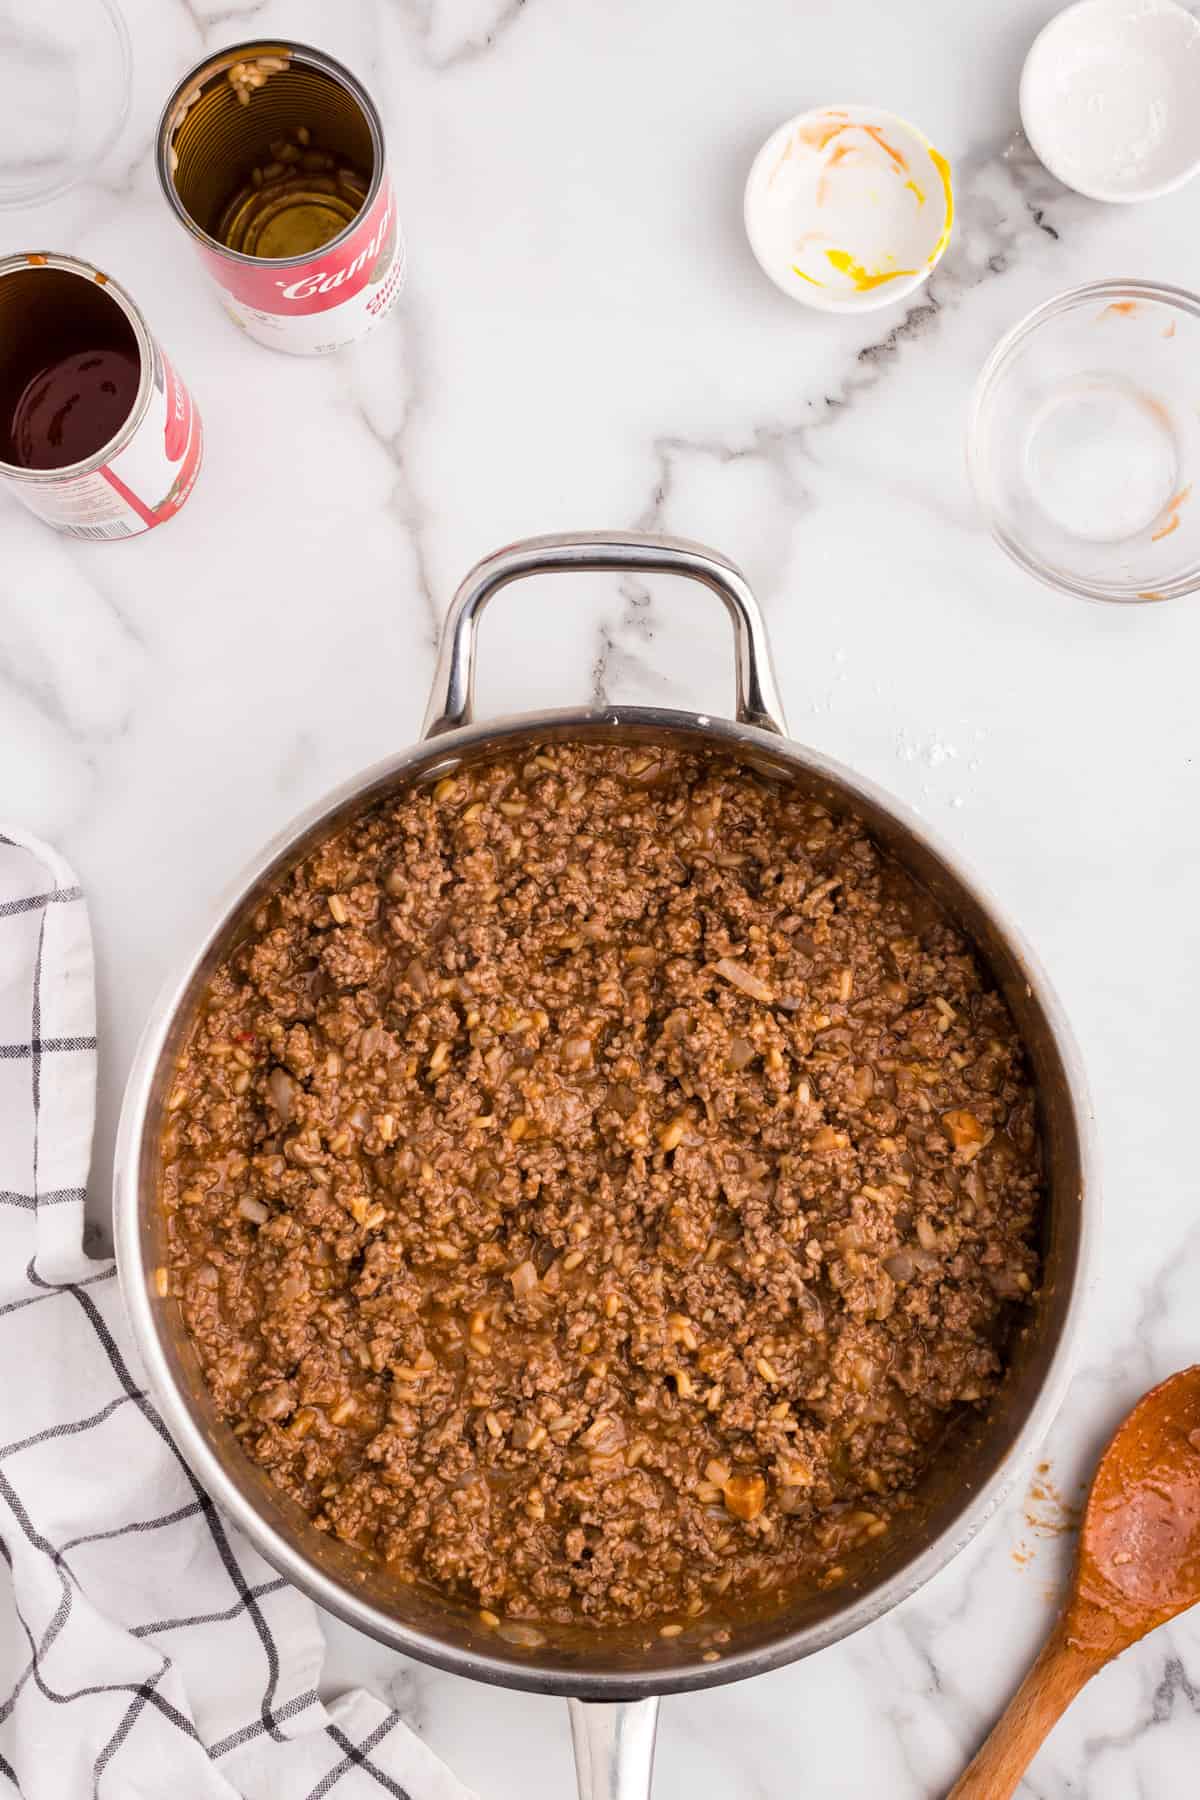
586, 341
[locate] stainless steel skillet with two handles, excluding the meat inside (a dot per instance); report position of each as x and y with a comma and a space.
614, 1684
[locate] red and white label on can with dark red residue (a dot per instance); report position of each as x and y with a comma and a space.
143, 483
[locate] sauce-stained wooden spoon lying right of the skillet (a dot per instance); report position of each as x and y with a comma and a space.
1138, 1567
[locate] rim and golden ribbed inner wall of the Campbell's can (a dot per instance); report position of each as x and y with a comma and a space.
211, 141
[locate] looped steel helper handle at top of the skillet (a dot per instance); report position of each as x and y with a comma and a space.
625, 553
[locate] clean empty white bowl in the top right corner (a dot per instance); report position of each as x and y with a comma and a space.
1111, 98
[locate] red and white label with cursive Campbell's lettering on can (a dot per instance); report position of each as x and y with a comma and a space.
332, 300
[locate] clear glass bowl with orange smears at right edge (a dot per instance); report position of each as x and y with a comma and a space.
1084, 442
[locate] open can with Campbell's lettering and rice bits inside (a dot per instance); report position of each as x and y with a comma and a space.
273, 159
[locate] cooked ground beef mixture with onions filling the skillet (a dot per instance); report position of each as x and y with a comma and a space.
596, 1183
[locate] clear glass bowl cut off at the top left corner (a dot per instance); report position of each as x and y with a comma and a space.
66, 75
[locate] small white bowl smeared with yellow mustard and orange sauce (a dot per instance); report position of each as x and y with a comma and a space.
848, 208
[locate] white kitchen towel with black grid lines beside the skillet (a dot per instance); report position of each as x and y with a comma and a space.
147, 1651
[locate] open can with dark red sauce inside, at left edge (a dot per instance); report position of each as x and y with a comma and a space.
98, 433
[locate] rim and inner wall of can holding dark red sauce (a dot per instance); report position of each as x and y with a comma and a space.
48, 307
